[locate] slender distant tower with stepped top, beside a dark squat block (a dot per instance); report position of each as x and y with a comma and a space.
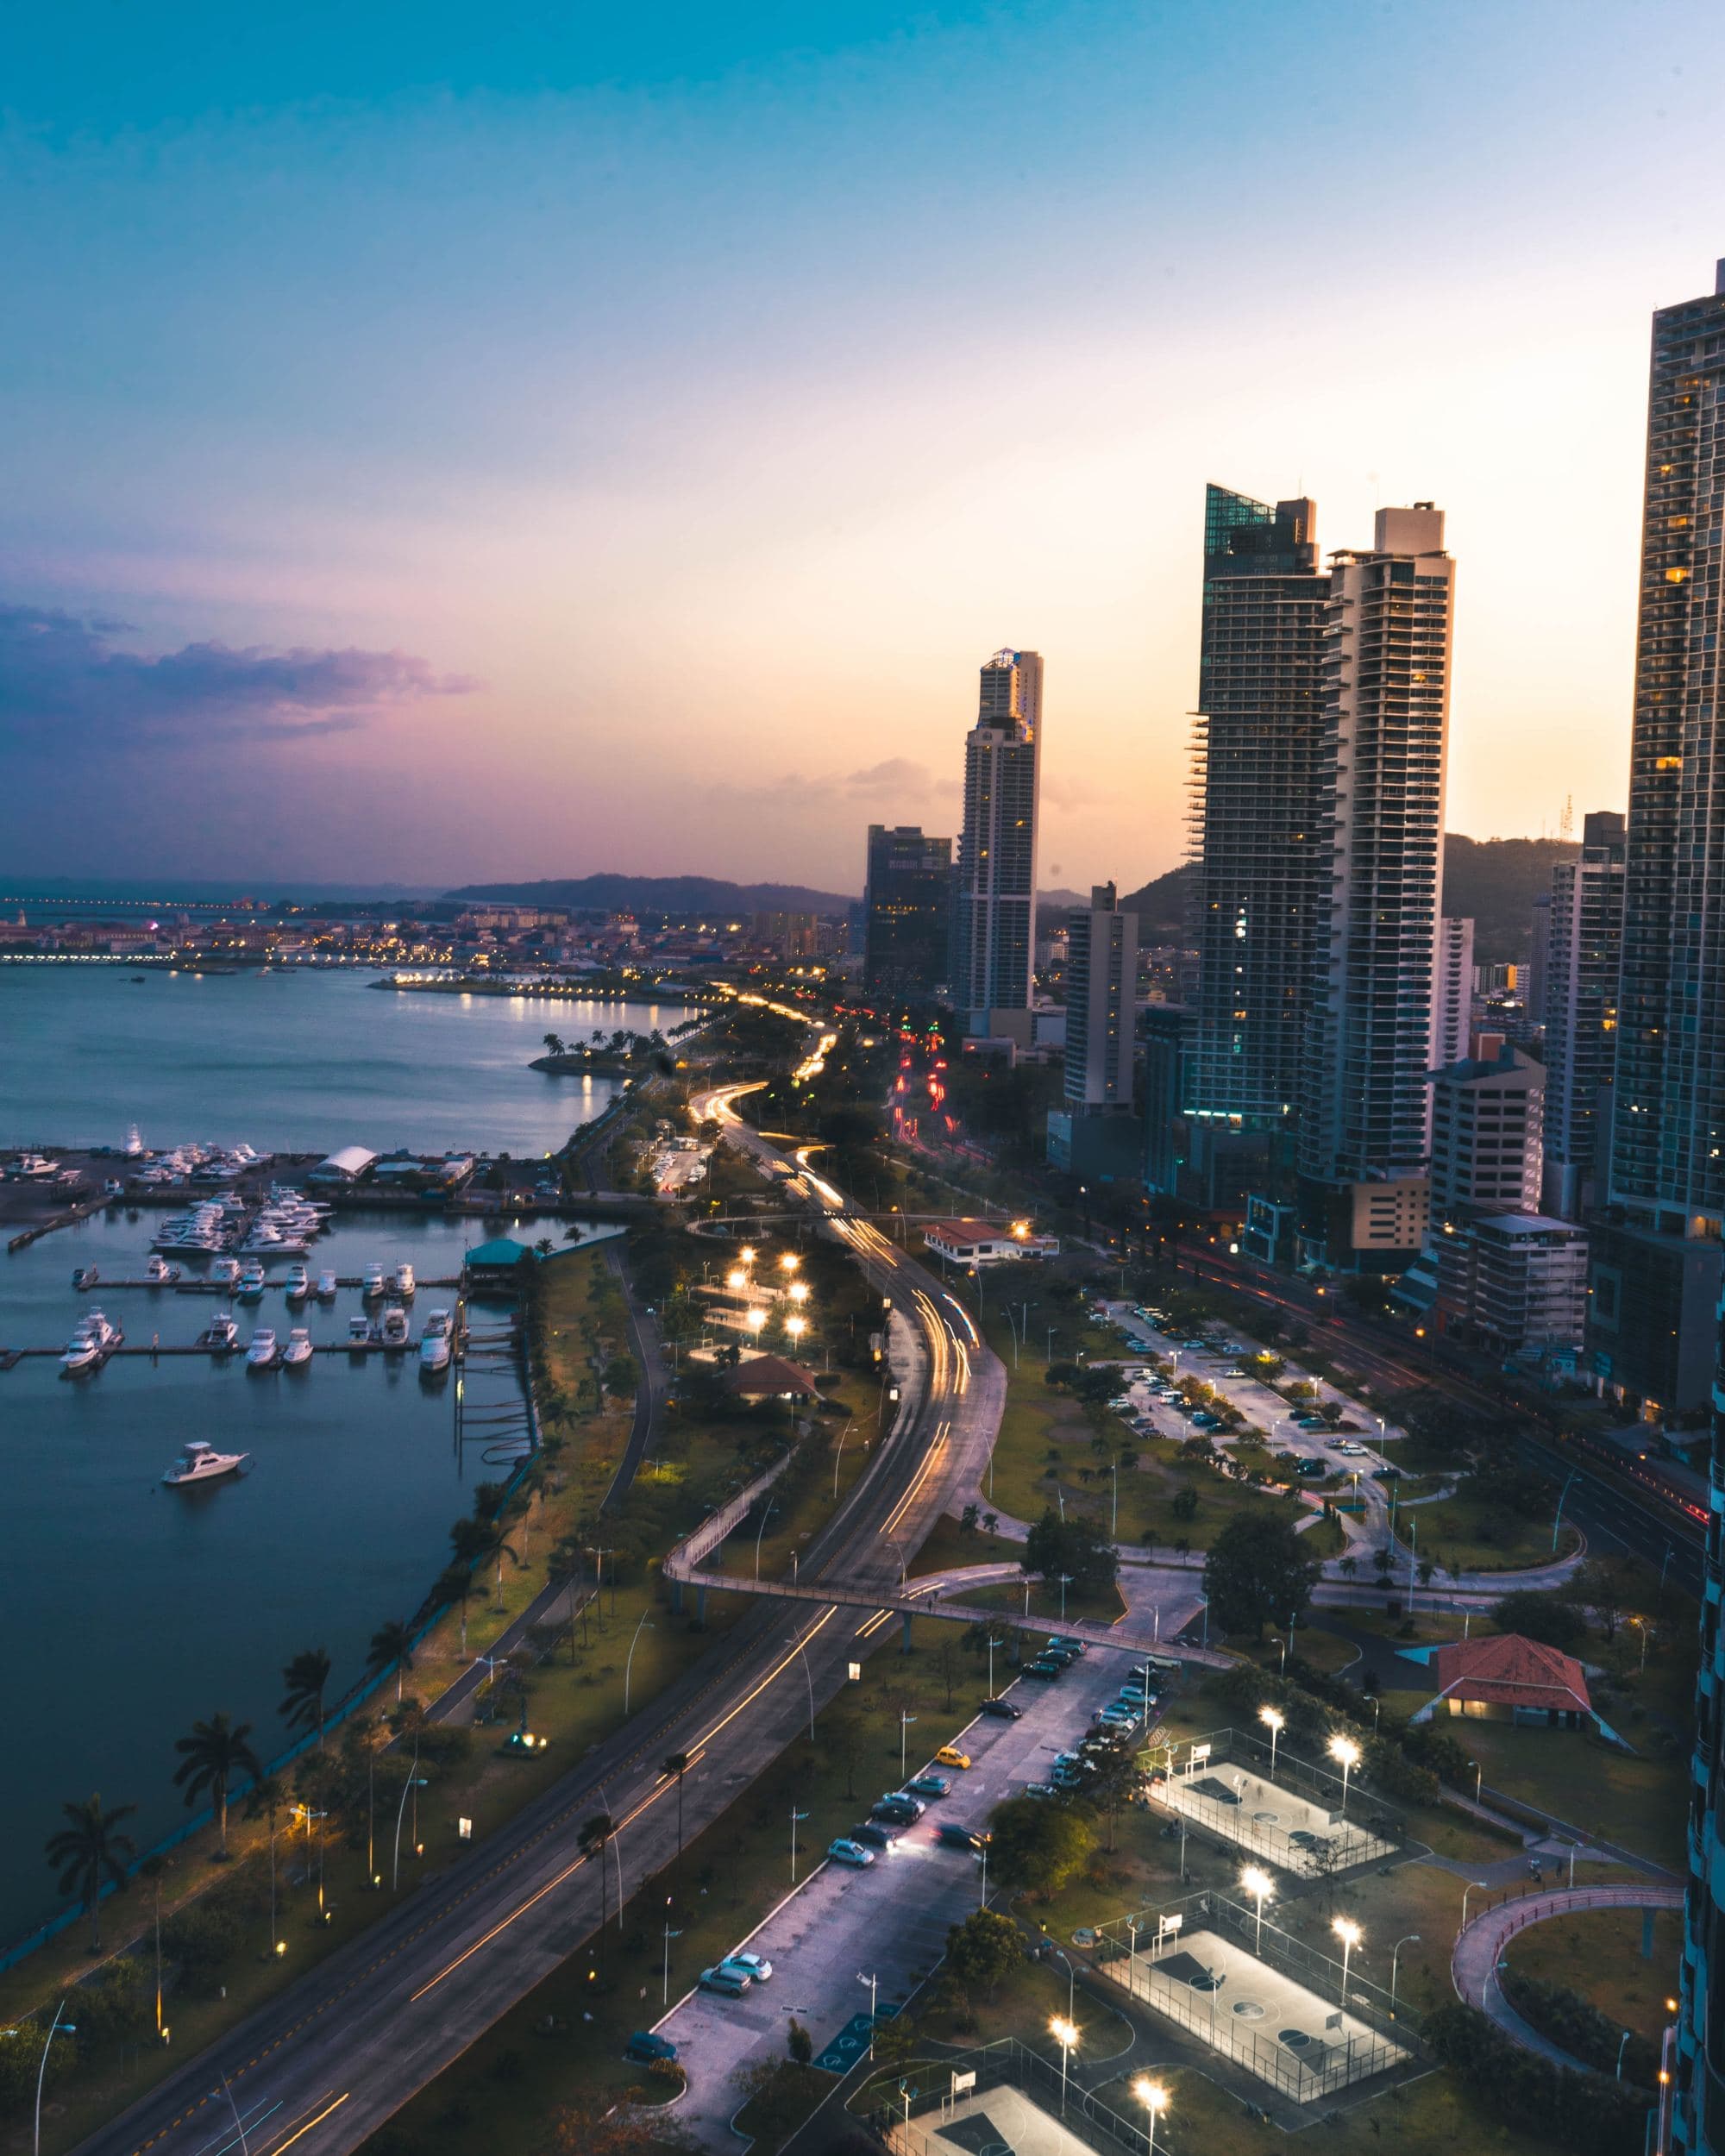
995, 885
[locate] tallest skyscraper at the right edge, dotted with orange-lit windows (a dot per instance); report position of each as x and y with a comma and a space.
1668, 1144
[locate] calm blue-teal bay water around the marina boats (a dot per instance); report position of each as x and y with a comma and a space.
130, 1609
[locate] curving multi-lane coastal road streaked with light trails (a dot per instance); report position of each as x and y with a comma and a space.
322, 2067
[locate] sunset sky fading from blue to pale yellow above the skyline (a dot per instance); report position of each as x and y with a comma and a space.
465, 443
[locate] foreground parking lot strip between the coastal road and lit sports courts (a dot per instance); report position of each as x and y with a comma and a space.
889, 1920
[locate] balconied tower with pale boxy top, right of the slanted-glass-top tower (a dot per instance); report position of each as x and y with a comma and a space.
1388, 661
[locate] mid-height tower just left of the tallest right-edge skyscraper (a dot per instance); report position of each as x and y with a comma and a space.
1582, 1010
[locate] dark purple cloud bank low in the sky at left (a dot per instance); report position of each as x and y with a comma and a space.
59, 672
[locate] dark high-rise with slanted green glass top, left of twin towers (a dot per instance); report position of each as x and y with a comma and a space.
1256, 807
